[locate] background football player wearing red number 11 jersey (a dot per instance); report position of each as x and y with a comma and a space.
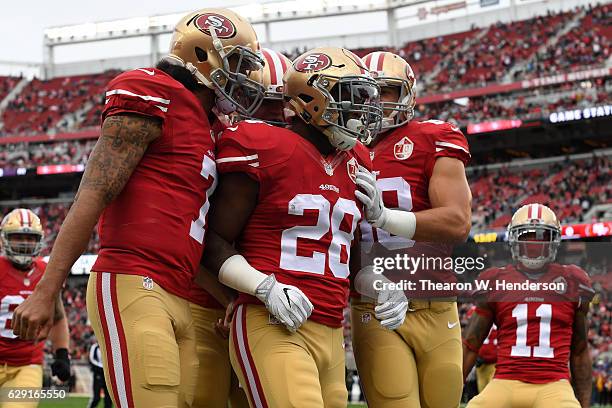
539, 333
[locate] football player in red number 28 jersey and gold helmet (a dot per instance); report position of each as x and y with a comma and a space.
286, 199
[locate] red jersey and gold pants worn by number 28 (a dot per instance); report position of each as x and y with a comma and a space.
302, 230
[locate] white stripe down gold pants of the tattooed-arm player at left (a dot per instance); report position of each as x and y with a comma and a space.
113, 333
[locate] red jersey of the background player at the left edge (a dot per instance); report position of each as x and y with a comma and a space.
15, 286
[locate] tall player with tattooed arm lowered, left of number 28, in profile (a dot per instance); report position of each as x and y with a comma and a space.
147, 184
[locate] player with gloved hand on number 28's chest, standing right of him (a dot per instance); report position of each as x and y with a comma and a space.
405, 358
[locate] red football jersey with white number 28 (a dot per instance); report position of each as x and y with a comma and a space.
303, 225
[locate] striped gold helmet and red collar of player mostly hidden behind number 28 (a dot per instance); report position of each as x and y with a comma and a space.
272, 110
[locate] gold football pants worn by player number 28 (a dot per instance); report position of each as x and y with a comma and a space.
280, 369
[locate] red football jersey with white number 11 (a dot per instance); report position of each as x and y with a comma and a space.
534, 328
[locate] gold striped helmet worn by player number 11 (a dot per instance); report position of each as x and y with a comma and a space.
534, 234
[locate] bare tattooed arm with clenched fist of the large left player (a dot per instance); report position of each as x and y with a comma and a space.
122, 143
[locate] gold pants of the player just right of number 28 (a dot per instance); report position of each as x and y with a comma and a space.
416, 366
